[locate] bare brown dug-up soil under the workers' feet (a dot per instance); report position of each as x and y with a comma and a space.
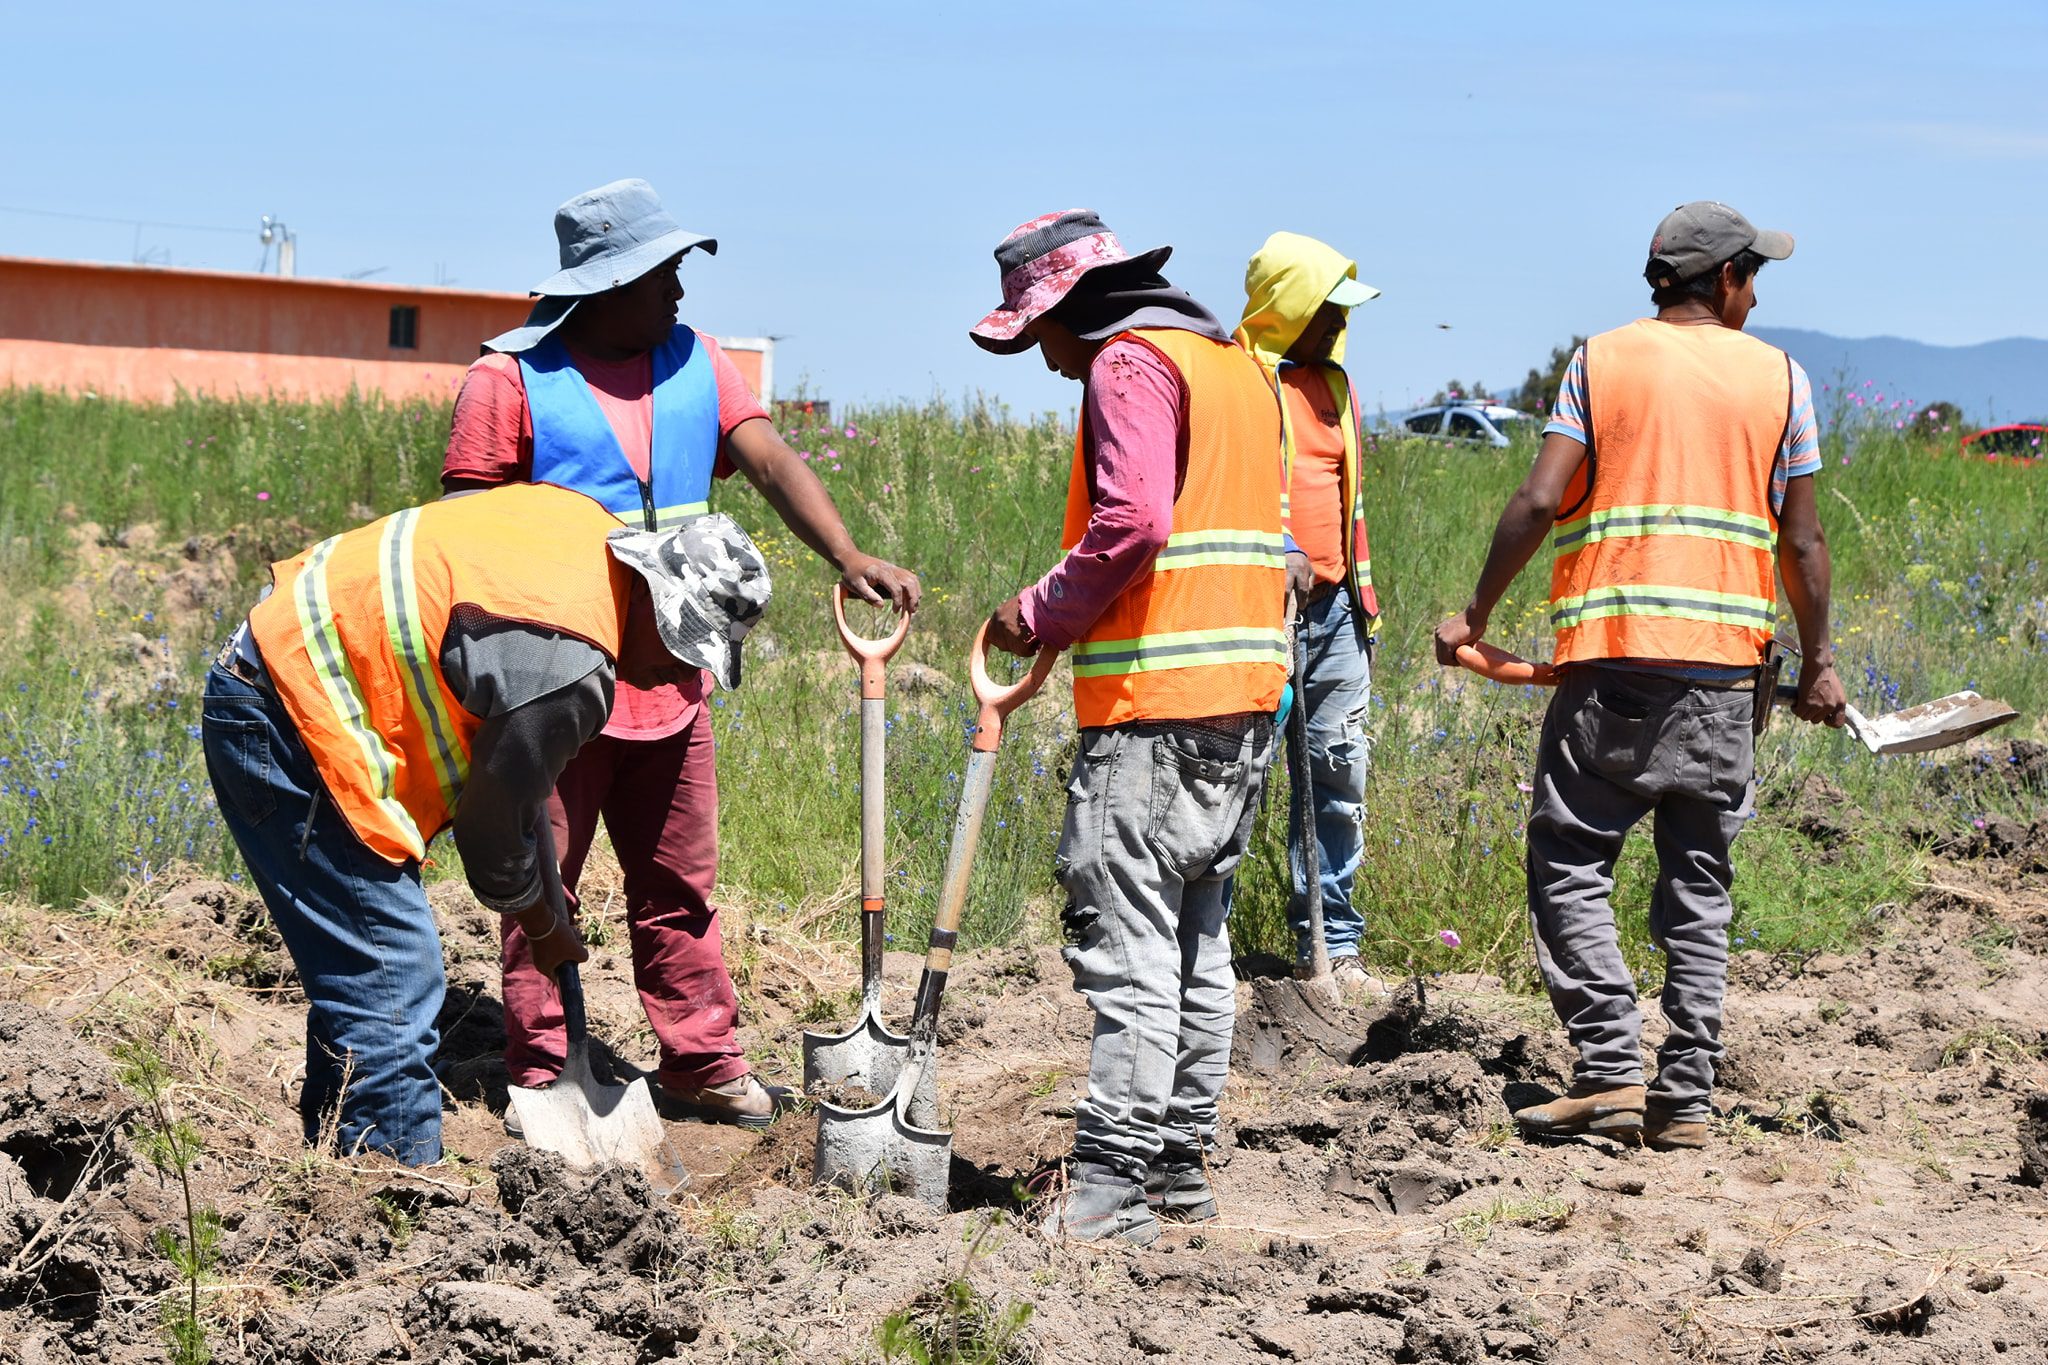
1873, 1190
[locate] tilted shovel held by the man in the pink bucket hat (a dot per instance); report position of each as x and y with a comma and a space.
898, 1145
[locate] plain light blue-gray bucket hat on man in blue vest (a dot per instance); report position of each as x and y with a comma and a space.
609, 236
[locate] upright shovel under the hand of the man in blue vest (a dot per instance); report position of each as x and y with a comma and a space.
867, 1055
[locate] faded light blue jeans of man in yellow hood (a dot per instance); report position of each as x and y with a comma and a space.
1336, 695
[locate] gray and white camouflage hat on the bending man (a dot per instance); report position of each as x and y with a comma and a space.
710, 586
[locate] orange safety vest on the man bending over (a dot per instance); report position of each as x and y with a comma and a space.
353, 629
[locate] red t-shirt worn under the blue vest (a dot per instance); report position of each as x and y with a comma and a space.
493, 443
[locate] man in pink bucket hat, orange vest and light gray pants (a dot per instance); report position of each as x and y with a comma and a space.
1170, 603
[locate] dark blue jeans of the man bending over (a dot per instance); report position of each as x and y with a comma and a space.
357, 928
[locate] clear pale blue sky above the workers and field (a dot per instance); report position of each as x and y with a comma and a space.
1492, 167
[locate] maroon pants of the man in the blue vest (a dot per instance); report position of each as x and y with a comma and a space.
660, 803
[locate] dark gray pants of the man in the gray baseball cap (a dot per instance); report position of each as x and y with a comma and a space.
1619, 746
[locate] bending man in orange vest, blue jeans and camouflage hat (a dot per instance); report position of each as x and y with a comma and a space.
439, 670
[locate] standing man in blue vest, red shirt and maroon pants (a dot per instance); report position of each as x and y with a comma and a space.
607, 392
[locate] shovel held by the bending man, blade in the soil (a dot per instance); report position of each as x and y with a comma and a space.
577, 1116
